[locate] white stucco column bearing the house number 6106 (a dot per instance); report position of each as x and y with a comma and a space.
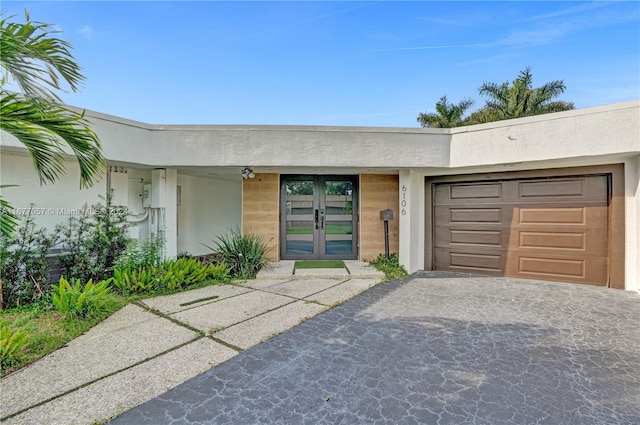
411, 219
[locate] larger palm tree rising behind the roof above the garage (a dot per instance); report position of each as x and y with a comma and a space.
520, 99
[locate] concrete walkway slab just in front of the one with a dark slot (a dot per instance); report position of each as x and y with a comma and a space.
215, 316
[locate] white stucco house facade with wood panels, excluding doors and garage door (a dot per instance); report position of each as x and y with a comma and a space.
204, 194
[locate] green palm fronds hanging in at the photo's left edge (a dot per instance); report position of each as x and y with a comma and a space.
37, 62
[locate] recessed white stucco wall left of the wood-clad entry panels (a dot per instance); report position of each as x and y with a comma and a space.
208, 208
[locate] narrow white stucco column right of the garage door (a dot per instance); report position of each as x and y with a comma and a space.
632, 231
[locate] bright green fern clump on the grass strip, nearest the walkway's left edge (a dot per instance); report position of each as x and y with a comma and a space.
79, 300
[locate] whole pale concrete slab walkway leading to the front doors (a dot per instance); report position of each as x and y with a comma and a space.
151, 346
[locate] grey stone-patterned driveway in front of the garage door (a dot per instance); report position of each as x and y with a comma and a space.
436, 349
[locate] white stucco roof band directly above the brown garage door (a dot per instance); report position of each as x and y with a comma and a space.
580, 133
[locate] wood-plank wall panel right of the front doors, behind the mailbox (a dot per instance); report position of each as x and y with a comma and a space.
377, 193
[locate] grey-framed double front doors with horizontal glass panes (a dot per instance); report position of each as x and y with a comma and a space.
318, 217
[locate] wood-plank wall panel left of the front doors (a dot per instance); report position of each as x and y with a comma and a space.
260, 210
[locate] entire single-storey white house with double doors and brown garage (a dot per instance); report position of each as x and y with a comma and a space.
552, 197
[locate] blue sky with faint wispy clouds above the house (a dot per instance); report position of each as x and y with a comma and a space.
368, 63
